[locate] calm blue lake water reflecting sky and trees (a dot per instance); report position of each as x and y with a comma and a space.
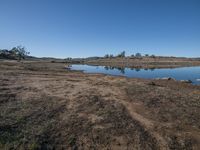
185, 73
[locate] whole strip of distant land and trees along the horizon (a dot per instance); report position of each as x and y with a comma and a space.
136, 60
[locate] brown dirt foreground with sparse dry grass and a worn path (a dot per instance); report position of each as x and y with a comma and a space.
45, 106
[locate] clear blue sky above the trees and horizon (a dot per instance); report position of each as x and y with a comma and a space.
81, 28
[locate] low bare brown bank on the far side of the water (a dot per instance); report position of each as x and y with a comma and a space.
145, 62
